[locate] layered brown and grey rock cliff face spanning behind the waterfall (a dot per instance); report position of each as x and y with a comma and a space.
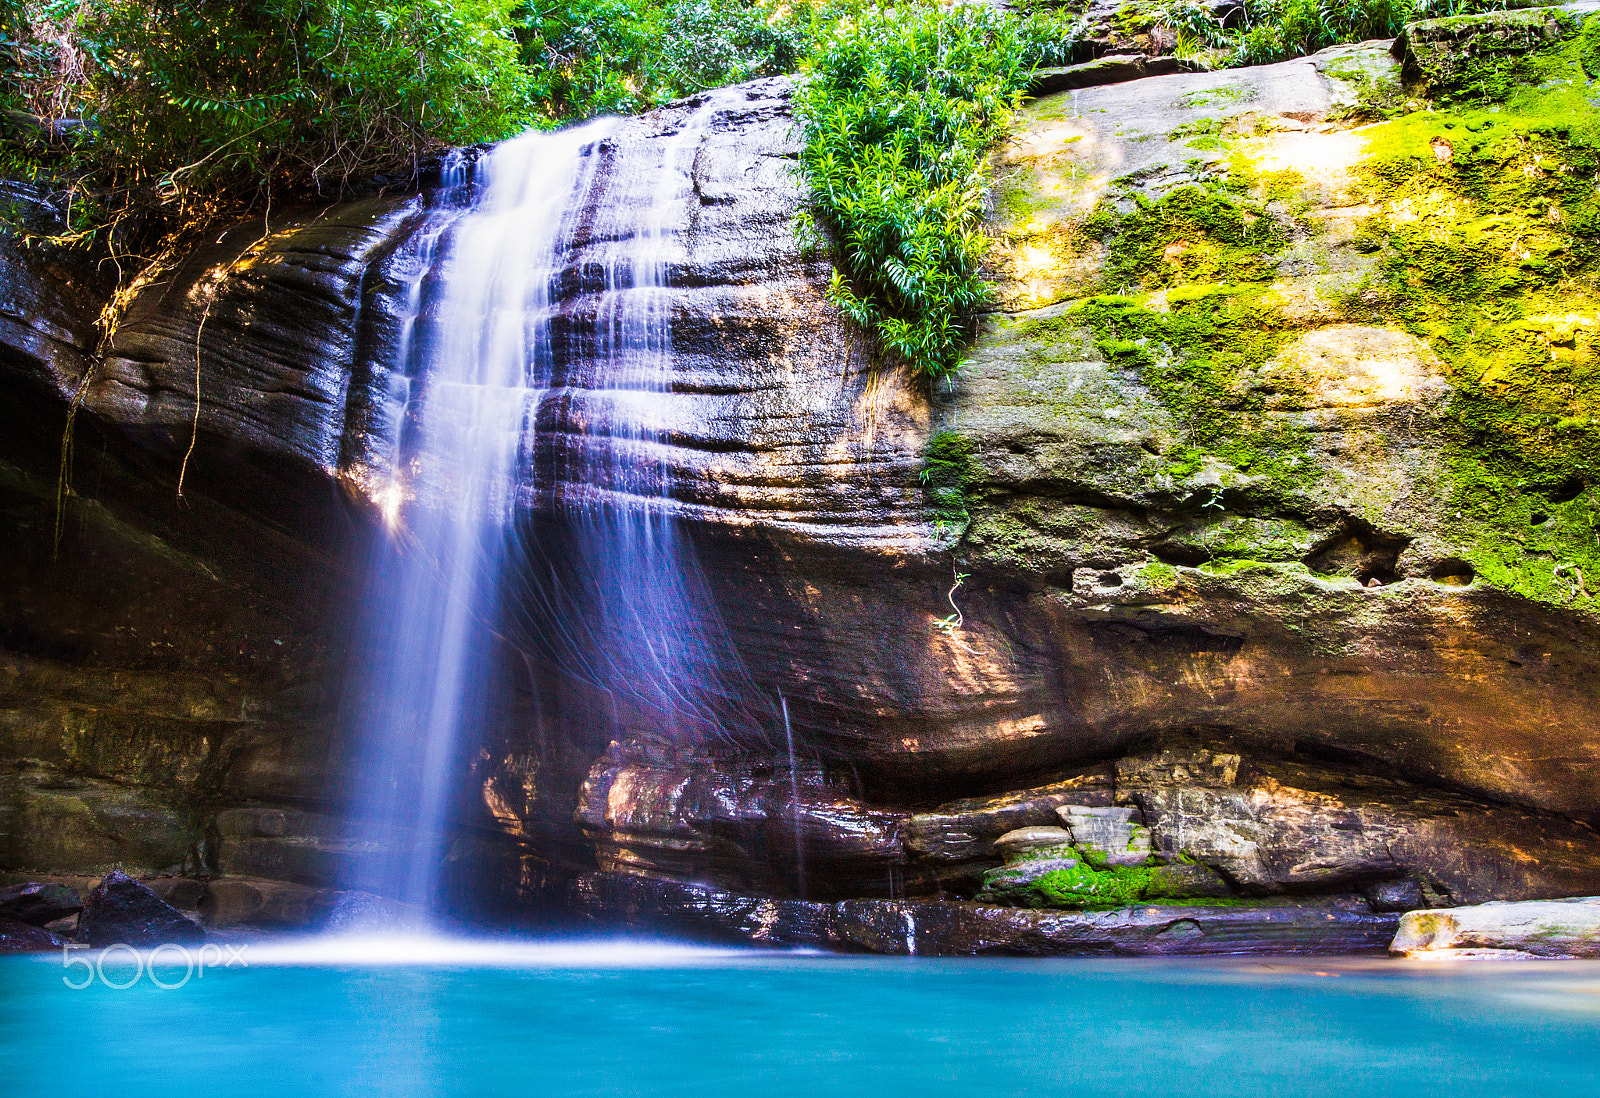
1193, 535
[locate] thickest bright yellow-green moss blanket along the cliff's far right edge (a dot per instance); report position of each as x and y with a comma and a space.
1490, 225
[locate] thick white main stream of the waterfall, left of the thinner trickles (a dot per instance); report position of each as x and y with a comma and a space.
473, 358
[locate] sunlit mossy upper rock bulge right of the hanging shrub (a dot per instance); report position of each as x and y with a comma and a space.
1290, 419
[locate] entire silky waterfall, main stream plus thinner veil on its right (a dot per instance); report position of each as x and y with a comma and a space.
530, 380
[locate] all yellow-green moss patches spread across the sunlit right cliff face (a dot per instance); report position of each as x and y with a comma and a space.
1482, 244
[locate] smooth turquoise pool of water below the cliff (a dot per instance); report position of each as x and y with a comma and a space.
657, 1020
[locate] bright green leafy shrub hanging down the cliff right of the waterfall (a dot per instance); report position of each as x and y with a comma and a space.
900, 114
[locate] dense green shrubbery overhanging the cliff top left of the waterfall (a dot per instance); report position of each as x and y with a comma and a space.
194, 111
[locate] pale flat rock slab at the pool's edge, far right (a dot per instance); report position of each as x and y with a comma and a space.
1532, 929
